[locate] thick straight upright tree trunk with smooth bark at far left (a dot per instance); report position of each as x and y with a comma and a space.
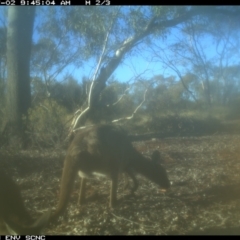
19, 41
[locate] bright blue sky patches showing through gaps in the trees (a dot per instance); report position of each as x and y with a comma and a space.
139, 64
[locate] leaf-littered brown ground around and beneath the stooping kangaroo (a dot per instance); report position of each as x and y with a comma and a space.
204, 196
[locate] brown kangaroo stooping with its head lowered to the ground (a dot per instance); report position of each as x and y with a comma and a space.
107, 150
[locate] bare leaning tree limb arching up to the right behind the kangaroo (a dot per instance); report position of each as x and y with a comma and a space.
155, 24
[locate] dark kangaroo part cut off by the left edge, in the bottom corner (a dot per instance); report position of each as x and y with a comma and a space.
13, 212
